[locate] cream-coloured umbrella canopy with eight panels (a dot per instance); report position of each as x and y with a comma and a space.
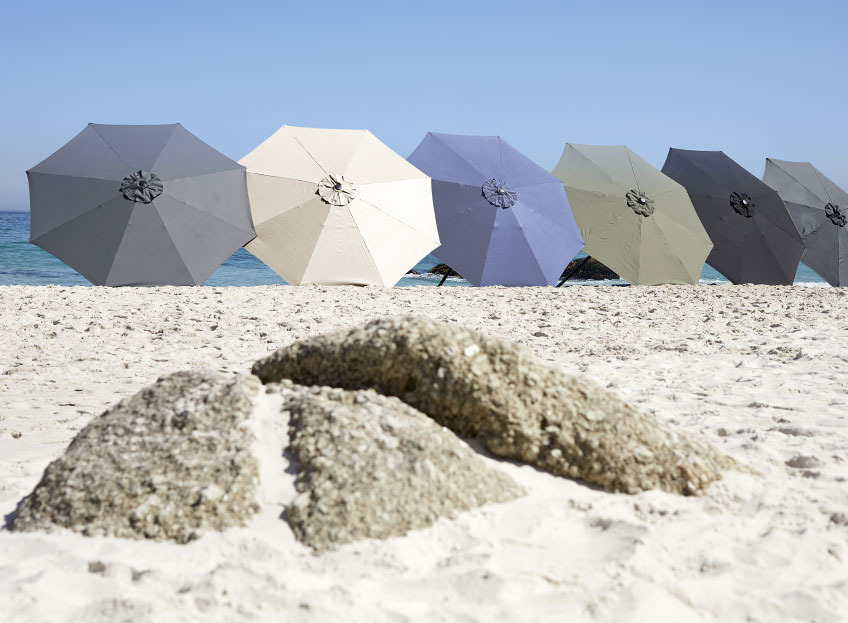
337, 207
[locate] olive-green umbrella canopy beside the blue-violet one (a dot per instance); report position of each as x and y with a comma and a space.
635, 220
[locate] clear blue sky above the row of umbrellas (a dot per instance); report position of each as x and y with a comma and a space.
752, 78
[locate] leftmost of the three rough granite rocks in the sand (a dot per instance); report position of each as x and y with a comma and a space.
167, 463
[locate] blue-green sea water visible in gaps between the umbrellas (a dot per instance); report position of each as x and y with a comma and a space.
22, 263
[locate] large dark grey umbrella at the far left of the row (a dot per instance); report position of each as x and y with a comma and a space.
139, 205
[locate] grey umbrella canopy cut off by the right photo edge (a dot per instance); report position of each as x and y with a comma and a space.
819, 209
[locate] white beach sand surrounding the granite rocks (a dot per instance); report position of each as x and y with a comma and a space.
762, 372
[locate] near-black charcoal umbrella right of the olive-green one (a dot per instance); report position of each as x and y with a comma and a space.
754, 237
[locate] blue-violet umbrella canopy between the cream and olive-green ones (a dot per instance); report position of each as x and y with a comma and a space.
503, 219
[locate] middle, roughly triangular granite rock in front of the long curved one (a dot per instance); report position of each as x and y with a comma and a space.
371, 466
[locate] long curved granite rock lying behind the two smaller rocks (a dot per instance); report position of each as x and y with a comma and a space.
501, 394
